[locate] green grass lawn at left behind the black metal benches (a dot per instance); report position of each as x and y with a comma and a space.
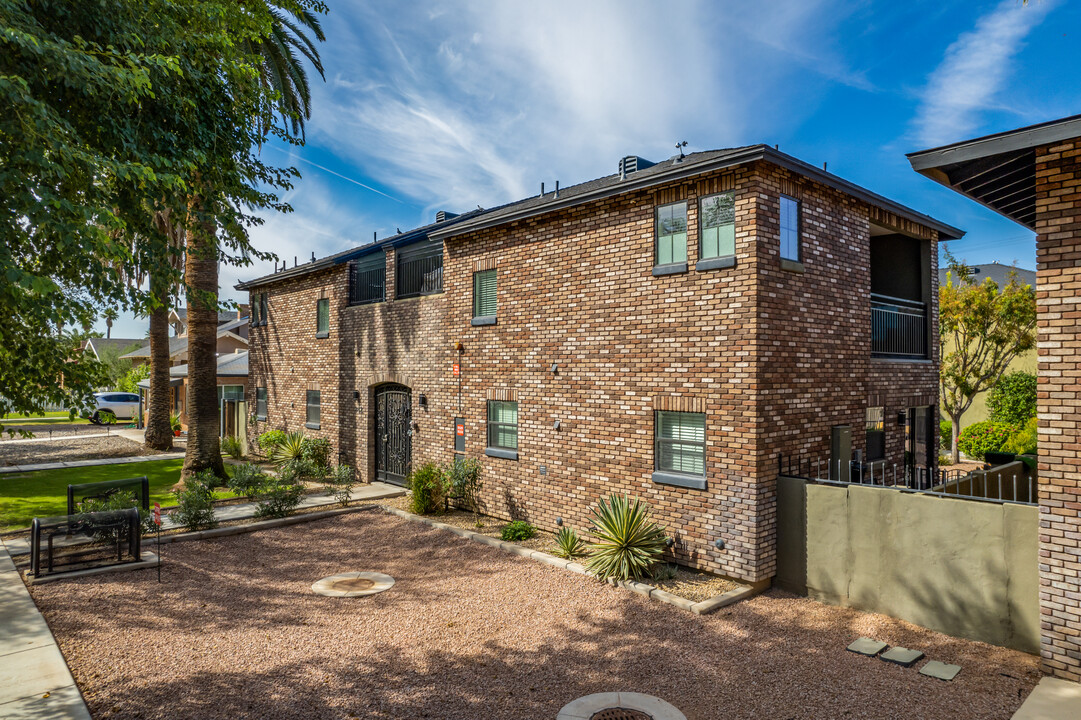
44, 494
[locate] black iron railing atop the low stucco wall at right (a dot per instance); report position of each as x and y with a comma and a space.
992, 485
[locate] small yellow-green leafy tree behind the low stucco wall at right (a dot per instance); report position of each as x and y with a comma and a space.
982, 329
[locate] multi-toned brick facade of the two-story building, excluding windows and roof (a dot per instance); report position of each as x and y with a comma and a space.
773, 357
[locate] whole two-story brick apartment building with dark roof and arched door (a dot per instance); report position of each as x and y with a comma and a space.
668, 331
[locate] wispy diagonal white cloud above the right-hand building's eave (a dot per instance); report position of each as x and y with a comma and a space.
973, 70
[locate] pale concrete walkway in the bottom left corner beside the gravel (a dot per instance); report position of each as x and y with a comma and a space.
35, 681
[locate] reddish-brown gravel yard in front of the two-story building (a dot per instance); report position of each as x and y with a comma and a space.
471, 633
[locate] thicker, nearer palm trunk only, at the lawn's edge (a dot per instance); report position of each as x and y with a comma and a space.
201, 271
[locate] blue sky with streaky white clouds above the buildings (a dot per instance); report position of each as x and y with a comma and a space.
434, 105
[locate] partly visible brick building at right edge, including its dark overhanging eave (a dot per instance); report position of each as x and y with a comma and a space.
1033, 176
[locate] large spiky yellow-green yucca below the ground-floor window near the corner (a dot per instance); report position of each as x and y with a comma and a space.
629, 543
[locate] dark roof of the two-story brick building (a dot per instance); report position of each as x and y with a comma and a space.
662, 172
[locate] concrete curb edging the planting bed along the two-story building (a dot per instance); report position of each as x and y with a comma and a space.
644, 590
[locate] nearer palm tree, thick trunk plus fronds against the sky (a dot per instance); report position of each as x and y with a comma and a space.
282, 71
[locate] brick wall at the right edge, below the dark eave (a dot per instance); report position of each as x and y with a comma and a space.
1059, 289
